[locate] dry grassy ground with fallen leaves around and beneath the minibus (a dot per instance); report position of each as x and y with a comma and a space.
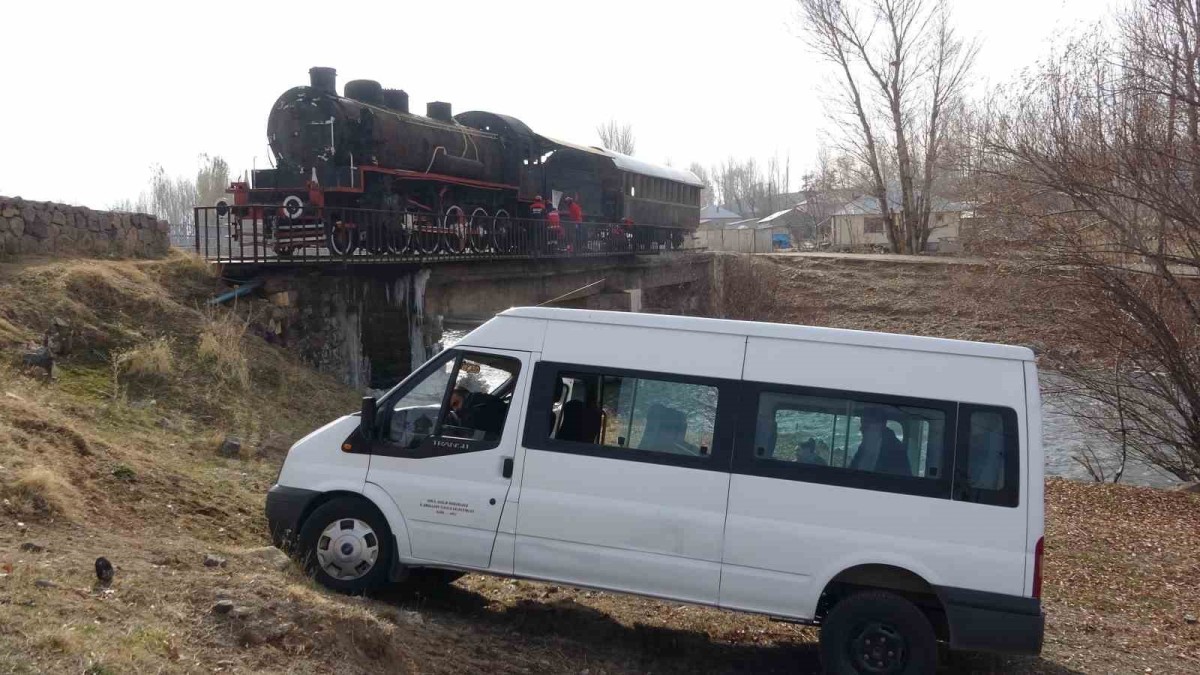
89, 470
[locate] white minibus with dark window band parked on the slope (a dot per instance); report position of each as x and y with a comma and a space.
887, 488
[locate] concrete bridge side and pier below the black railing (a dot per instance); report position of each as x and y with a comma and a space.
371, 326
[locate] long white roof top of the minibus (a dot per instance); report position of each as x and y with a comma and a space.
778, 331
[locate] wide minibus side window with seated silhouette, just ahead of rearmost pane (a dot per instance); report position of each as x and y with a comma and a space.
865, 437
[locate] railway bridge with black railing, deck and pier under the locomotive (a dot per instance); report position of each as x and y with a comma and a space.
374, 304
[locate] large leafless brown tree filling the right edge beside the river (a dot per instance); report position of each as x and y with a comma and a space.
1100, 150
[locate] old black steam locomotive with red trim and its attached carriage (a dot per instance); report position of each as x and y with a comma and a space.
421, 177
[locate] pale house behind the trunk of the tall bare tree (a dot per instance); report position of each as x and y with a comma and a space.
860, 224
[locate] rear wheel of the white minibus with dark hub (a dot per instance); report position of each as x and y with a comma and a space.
878, 632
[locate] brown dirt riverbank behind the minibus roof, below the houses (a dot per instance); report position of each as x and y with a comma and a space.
965, 302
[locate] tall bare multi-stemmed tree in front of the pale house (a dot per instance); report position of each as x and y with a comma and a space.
903, 71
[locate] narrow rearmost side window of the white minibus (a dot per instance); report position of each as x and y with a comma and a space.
988, 457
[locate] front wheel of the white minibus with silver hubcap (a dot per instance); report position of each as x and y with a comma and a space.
346, 546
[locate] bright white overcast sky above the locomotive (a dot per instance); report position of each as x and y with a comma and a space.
97, 93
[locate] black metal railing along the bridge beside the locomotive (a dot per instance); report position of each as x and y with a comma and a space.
262, 234
